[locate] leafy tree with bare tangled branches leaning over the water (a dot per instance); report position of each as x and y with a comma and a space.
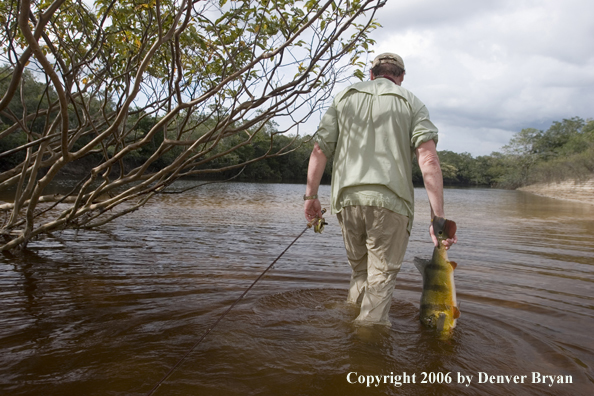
150, 91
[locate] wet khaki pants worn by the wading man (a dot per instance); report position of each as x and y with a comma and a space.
375, 240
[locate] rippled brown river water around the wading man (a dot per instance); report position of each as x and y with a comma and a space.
111, 312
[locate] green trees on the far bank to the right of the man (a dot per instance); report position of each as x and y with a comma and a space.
564, 151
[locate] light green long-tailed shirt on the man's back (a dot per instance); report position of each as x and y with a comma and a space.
372, 129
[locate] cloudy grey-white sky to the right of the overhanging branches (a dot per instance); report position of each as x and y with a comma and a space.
487, 69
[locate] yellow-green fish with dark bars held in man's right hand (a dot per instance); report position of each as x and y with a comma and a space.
439, 308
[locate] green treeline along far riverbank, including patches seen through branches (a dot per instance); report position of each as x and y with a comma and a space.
564, 151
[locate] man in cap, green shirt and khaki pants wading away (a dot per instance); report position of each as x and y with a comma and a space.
372, 130
